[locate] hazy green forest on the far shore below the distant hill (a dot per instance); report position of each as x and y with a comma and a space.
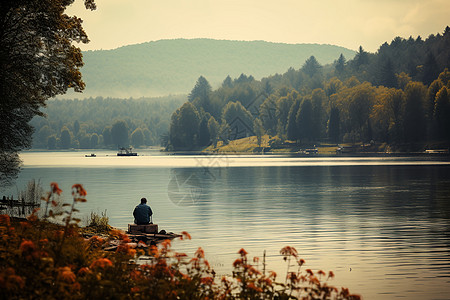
104, 122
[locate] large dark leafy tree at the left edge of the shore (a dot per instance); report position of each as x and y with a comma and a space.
37, 62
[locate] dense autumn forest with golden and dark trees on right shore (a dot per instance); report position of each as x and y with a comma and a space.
398, 96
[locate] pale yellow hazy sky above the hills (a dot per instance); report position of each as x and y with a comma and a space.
348, 23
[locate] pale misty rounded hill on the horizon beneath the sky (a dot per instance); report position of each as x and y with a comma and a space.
172, 66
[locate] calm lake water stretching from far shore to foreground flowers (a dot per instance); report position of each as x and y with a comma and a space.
381, 224
